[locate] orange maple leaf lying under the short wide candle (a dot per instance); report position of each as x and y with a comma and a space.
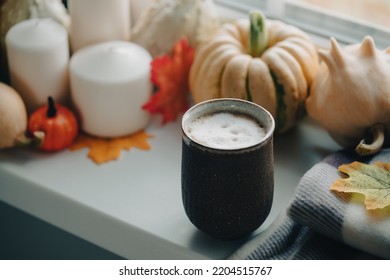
103, 150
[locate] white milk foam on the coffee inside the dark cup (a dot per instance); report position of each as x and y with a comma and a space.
226, 131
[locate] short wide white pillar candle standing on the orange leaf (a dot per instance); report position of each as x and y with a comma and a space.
109, 84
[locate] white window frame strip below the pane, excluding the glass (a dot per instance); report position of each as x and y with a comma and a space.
315, 20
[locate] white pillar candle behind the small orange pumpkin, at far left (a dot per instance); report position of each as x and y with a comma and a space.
38, 57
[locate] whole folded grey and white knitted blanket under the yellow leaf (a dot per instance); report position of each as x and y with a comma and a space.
319, 224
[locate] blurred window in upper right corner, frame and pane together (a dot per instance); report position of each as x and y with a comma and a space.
349, 21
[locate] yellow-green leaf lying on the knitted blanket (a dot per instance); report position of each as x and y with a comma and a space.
371, 180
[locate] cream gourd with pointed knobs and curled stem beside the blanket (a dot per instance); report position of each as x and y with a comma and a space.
350, 95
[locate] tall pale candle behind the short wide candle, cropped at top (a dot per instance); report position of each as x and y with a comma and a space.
96, 21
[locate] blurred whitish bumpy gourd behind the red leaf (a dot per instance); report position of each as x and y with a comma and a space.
165, 22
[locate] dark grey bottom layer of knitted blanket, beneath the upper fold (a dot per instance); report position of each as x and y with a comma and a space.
288, 240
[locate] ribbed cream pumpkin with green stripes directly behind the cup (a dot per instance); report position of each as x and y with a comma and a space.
264, 61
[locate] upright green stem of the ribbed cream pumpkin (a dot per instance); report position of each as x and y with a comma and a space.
258, 34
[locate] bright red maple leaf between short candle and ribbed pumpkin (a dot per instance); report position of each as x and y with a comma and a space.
169, 74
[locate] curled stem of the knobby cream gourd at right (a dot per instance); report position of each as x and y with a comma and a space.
378, 137
